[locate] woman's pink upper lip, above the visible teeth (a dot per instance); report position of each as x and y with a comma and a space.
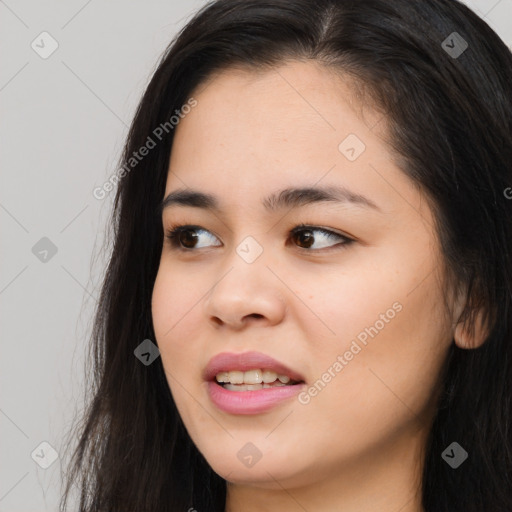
228, 361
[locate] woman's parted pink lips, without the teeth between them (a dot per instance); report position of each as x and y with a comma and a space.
248, 402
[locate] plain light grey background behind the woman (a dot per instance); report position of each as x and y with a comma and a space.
63, 123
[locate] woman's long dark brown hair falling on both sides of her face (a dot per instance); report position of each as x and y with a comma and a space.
450, 119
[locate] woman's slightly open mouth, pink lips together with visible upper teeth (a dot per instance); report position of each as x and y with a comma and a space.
250, 382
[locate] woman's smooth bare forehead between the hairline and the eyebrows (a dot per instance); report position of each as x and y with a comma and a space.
261, 131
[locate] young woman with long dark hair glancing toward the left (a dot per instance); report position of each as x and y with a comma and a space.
307, 306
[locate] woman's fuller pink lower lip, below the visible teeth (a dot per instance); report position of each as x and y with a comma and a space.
250, 402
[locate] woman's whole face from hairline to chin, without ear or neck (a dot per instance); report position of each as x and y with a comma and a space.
349, 306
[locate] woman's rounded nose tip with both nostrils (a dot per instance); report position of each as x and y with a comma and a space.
246, 294
